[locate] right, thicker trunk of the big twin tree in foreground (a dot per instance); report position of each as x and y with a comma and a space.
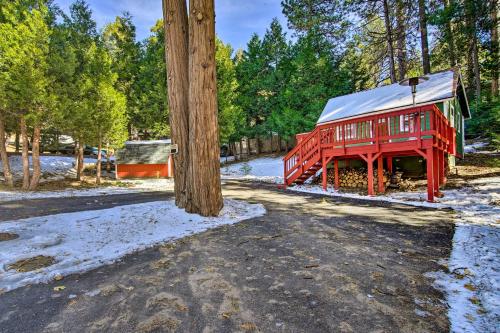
204, 167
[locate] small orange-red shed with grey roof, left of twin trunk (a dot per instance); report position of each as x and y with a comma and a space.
145, 159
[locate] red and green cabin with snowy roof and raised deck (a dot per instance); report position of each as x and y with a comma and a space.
383, 123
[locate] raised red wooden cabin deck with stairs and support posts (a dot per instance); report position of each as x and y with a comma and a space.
417, 131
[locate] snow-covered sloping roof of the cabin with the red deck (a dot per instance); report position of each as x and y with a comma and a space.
439, 86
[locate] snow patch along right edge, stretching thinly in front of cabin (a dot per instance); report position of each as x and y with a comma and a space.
472, 285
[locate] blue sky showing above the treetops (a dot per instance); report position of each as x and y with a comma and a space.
236, 20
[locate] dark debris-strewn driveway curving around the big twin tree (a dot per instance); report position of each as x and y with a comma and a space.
311, 264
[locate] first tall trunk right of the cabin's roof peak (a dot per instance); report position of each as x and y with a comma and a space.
473, 58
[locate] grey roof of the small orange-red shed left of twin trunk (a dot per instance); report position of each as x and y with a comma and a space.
144, 152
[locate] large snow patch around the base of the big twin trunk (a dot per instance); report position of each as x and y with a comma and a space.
82, 241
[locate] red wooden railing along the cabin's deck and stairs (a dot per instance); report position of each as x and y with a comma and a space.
413, 126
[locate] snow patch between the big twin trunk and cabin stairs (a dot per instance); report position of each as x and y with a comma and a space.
263, 169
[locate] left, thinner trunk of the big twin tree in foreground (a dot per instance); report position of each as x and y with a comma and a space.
176, 51
